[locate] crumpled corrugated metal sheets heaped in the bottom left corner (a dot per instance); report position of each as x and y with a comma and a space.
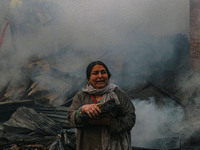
28, 129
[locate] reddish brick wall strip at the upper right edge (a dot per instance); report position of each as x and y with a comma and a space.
195, 34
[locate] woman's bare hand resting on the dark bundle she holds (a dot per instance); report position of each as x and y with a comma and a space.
91, 109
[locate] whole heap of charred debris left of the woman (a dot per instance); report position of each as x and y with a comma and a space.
34, 110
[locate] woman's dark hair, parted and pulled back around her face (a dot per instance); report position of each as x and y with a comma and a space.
92, 64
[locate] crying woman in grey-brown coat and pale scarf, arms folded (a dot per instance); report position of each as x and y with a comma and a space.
101, 133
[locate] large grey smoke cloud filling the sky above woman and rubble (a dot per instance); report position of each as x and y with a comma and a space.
130, 36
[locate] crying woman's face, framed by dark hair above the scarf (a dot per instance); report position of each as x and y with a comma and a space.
98, 77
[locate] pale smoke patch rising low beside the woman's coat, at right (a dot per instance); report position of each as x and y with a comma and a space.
156, 122
